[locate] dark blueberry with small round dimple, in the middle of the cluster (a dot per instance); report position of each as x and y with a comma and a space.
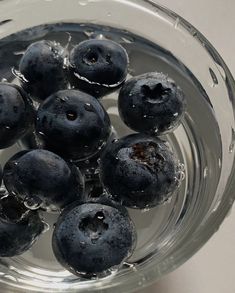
73, 124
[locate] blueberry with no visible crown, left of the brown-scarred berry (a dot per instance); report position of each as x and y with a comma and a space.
41, 178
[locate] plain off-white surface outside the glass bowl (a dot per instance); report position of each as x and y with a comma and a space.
212, 269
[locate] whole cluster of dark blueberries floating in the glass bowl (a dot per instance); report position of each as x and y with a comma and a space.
94, 232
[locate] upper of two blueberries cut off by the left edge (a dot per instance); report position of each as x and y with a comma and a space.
16, 114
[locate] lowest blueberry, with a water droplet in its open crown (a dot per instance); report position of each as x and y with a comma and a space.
90, 239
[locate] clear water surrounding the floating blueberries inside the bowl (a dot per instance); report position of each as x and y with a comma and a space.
192, 142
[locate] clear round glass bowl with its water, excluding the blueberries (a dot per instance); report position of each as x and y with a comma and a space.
156, 39
